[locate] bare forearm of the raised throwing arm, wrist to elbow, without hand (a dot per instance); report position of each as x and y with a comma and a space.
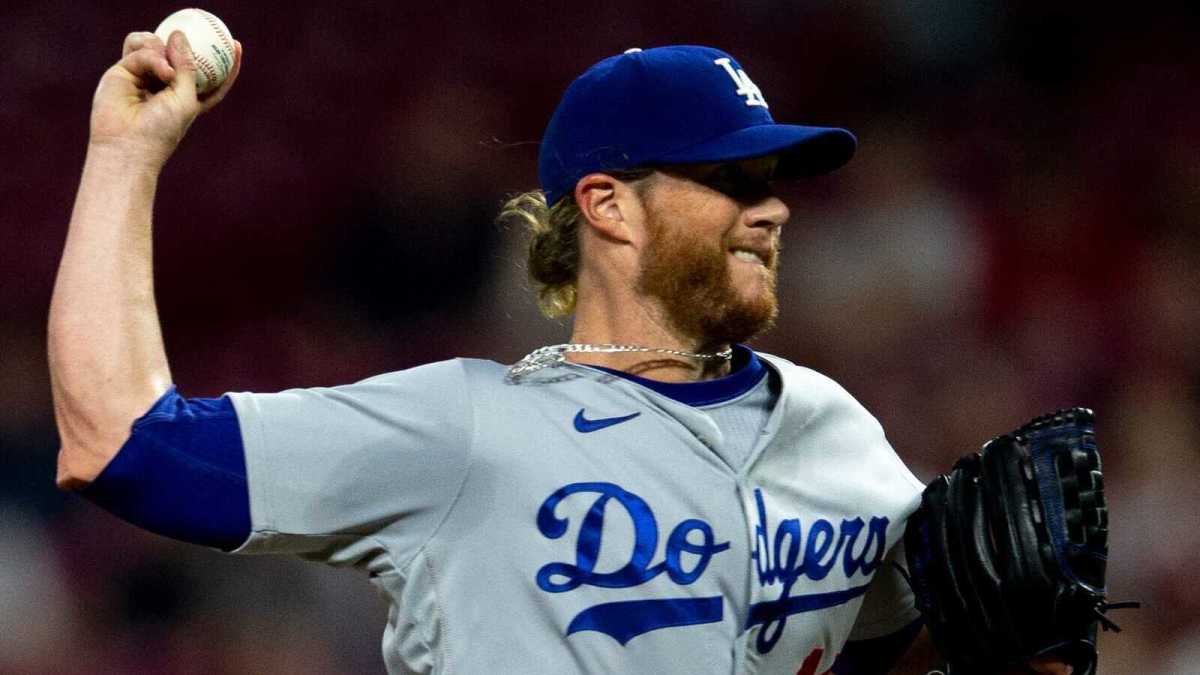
106, 353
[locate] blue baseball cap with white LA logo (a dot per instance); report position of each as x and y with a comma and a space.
675, 106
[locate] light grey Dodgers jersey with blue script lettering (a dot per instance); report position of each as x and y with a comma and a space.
577, 522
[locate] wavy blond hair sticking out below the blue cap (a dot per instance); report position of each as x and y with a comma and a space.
554, 259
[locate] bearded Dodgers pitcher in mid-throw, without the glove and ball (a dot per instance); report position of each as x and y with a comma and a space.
651, 498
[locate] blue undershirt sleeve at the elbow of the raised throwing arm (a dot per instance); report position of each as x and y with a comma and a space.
182, 474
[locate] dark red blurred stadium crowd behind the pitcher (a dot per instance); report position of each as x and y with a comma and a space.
1019, 232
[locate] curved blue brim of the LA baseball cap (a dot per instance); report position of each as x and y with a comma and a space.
802, 151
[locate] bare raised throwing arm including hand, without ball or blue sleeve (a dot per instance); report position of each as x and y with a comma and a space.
106, 351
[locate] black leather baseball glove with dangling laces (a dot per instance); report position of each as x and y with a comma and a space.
1007, 552
